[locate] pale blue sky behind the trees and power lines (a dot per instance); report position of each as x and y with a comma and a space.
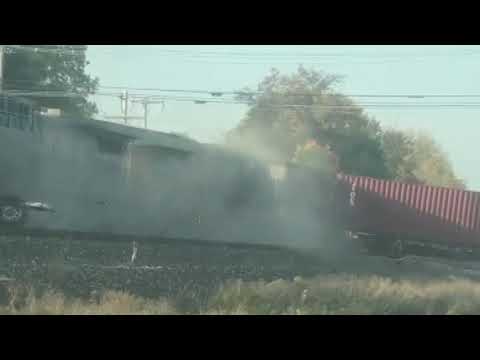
366, 70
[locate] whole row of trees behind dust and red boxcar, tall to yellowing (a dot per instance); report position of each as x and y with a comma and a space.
288, 113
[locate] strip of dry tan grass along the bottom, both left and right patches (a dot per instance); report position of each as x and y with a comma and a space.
332, 294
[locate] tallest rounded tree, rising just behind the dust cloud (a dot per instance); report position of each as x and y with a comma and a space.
291, 110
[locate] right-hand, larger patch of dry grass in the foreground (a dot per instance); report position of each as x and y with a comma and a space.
346, 294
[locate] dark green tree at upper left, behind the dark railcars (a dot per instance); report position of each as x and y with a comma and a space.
59, 68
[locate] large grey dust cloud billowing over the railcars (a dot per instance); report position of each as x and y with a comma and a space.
218, 193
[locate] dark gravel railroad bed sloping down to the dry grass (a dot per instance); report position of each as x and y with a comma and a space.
80, 263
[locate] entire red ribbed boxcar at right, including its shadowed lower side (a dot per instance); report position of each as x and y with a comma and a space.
394, 210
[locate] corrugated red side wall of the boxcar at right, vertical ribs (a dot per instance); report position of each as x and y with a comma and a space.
414, 208
